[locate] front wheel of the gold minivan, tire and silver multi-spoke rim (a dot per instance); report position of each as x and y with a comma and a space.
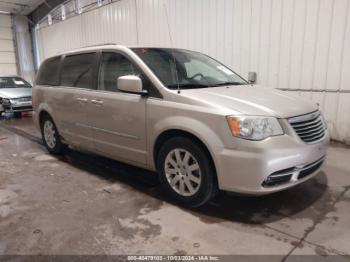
198, 184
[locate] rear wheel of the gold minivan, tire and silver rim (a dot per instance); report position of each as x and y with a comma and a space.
51, 137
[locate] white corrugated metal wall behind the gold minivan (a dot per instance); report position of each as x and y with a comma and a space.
291, 44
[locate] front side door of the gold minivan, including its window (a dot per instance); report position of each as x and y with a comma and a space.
118, 119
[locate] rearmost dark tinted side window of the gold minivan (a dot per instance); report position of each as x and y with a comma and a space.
49, 72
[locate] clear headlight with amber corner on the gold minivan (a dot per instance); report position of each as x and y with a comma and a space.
254, 127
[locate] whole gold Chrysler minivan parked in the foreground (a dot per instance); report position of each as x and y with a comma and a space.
196, 122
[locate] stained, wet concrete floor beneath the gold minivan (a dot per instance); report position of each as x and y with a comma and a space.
85, 204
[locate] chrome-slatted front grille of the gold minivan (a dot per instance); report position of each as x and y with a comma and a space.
310, 128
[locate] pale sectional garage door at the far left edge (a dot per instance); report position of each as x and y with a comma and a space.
7, 50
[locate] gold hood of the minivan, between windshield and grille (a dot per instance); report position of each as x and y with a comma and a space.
253, 100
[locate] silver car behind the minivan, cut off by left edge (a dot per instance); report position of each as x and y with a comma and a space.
15, 95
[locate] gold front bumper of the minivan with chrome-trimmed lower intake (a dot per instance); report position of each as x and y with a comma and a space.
246, 169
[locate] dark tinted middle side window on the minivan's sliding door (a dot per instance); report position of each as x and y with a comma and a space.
77, 70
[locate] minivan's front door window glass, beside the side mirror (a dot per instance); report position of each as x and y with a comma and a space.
114, 65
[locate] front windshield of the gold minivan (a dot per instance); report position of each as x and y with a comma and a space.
187, 69
